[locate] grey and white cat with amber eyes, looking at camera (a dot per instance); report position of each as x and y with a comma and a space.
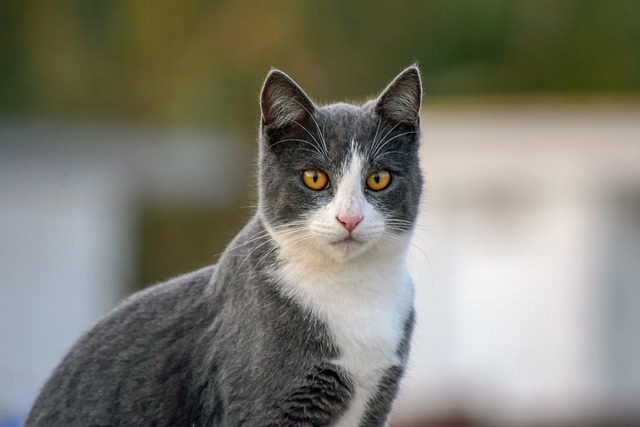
307, 317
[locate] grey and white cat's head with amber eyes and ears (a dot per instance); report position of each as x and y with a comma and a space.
339, 181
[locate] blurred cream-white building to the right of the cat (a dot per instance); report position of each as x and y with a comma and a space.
527, 266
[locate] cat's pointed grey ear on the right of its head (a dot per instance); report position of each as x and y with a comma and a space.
400, 101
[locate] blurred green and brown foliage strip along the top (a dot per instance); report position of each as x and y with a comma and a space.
198, 62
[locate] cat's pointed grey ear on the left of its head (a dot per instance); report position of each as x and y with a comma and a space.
283, 102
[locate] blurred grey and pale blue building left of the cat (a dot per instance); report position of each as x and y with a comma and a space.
71, 197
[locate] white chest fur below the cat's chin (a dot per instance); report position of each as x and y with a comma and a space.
365, 307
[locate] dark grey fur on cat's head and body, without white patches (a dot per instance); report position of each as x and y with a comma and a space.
224, 346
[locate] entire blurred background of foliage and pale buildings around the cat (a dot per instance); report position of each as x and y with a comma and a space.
127, 155
